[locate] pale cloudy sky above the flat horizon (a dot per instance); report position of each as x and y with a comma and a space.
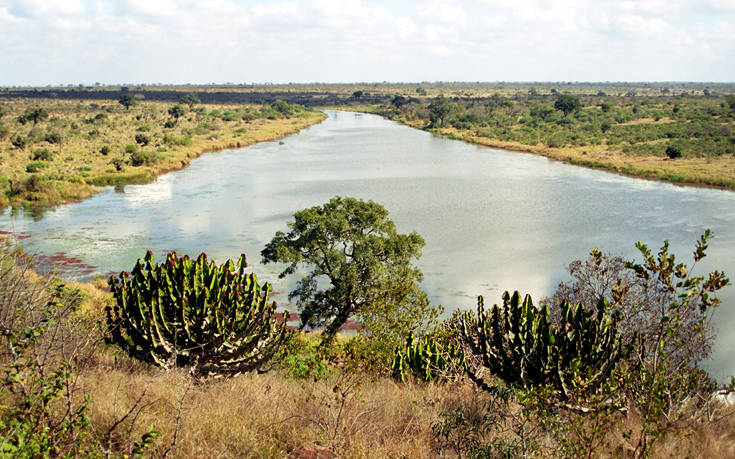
52, 42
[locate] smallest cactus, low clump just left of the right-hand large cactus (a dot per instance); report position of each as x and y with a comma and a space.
426, 358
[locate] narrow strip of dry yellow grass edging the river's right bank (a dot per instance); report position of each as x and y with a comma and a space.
700, 171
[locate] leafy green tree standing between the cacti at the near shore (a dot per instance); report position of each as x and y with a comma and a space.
352, 246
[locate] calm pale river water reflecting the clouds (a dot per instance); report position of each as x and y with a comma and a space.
492, 220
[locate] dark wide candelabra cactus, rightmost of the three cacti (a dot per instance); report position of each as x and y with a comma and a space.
519, 344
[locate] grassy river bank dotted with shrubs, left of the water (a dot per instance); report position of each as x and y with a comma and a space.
78, 146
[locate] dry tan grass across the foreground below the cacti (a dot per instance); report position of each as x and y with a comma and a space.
355, 414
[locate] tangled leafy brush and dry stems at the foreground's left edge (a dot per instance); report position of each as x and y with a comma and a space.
38, 367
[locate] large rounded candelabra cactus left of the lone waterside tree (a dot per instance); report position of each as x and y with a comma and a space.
214, 320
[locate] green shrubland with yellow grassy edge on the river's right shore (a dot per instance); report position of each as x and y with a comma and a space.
679, 139
